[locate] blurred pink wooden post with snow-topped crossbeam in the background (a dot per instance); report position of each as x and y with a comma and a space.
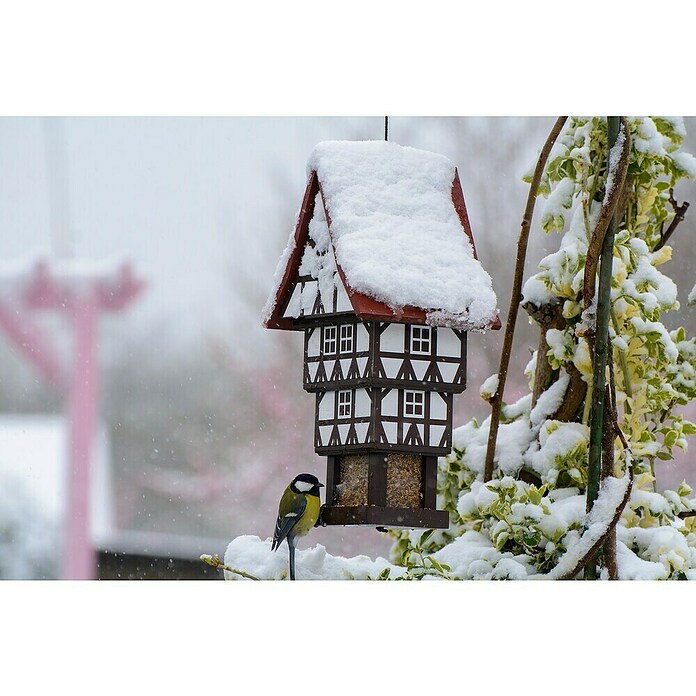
82, 292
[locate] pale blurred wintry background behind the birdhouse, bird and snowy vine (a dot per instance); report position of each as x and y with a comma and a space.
200, 419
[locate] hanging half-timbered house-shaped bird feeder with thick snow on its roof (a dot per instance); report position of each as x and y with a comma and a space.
381, 275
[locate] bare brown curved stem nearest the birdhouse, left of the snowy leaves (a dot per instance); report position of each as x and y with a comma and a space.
516, 296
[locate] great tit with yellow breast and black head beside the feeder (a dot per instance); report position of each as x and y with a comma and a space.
298, 512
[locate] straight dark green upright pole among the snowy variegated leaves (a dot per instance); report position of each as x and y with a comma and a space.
600, 355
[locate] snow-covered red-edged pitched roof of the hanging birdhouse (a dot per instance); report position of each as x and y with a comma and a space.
399, 233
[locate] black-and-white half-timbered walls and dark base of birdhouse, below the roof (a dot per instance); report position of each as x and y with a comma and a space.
382, 388
